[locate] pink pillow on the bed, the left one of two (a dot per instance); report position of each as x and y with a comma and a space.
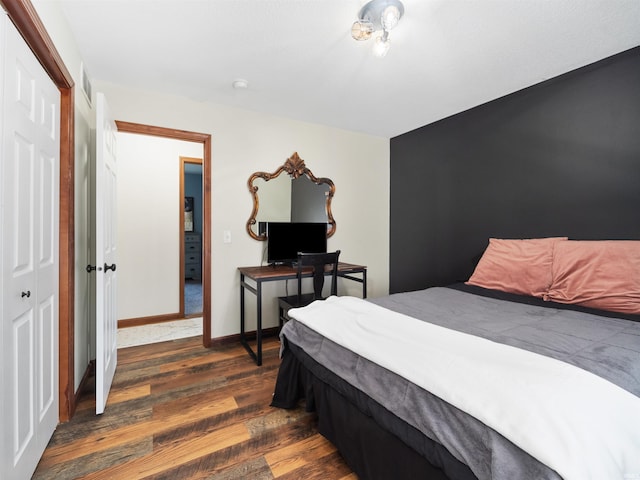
516, 266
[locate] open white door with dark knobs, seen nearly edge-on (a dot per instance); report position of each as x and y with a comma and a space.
106, 275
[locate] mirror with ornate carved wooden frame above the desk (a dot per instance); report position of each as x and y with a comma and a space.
297, 196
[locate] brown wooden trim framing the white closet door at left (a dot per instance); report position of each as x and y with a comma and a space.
28, 23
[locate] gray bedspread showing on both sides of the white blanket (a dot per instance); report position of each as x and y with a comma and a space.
608, 347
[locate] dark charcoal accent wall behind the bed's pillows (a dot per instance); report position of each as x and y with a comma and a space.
559, 158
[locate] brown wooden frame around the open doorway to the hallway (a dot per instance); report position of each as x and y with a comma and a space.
205, 139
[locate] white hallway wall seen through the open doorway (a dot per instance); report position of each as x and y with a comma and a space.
148, 223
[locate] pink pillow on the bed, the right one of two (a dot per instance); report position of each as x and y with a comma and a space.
601, 274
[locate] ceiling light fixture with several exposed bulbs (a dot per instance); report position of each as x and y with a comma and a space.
374, 16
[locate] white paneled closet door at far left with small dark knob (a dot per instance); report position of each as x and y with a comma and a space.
30, 148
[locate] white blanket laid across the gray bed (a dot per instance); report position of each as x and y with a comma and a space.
538, 403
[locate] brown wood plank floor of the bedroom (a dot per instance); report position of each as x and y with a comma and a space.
180, 411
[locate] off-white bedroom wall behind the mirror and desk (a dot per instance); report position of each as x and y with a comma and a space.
244, 142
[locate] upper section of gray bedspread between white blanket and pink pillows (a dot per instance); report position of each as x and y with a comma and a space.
608, 347
